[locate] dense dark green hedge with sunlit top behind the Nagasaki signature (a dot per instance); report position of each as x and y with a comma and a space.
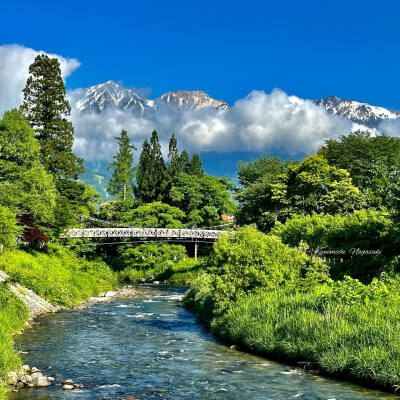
360, 244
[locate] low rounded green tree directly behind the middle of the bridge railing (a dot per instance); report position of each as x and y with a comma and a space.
155, 215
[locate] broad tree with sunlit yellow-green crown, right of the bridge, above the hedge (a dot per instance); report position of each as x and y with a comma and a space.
273, 191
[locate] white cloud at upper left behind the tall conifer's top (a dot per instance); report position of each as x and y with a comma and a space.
14, 66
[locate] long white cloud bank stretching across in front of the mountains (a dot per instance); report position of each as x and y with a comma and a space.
259, 122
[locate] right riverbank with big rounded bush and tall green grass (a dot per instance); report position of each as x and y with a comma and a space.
277, 301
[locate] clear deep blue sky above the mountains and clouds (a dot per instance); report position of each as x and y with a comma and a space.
227, 48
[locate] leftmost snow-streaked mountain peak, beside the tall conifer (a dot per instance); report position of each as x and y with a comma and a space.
111, 95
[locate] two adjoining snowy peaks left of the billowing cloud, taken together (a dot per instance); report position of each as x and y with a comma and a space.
111, 95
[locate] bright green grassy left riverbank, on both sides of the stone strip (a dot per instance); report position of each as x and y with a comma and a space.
56, 274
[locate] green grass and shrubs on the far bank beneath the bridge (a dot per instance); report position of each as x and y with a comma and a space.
180, 273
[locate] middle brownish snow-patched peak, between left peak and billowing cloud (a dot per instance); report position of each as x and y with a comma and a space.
193, 99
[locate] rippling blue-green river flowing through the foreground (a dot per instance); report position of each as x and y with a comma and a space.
147, 347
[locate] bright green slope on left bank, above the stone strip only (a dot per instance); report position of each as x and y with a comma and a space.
58, 275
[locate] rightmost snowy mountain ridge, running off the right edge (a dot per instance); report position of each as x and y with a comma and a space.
362, 113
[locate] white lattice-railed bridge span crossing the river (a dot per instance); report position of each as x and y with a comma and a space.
156, 233
